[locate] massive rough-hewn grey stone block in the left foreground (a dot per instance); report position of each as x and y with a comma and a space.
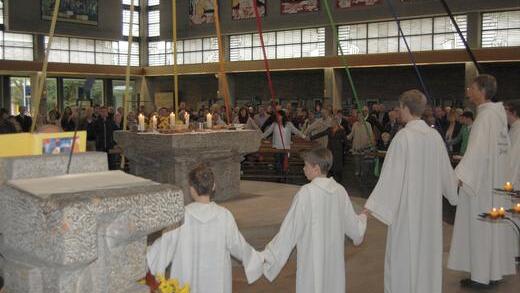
79, 233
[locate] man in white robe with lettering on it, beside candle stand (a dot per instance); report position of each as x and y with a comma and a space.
482, 248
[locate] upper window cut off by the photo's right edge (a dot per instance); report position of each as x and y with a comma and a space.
501, 29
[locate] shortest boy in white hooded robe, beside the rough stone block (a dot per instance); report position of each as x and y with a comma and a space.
200, 250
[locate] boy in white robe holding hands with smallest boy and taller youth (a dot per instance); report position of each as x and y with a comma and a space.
320, 216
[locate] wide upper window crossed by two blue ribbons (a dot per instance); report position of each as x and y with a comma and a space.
422, 34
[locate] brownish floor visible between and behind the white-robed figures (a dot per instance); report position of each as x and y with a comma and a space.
259, 212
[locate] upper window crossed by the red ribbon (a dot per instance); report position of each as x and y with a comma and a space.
278, 45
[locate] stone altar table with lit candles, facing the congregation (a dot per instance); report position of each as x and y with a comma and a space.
168, 158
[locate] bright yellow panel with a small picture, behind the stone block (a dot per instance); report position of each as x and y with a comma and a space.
26, 144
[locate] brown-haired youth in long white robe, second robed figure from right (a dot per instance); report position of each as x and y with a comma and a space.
408, 198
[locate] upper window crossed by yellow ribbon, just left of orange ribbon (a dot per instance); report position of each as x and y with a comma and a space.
193, 51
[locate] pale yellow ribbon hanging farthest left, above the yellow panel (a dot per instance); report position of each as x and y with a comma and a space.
43, 77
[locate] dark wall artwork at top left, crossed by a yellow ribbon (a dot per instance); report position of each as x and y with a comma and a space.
78, 11
